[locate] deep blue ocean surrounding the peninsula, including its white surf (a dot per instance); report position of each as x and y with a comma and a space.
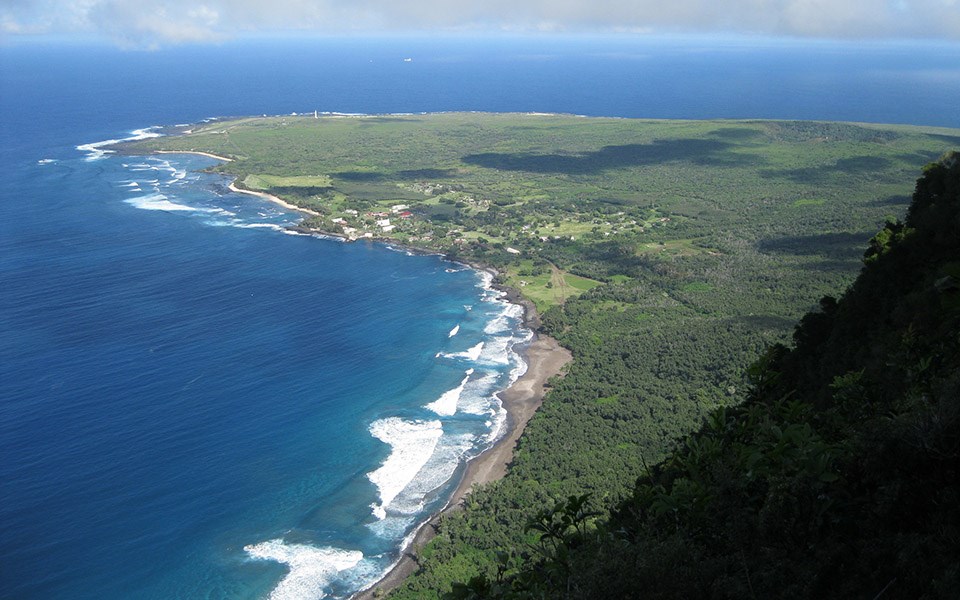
195, 404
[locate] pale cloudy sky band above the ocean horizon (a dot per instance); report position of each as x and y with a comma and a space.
167, 22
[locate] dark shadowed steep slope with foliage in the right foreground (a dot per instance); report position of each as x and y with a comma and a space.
839, 477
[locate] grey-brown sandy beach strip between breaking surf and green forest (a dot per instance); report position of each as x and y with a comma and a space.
545, 358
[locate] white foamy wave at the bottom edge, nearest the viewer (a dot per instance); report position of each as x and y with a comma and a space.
311, 569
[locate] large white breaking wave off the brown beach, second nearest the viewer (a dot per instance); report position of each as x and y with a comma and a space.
411, 443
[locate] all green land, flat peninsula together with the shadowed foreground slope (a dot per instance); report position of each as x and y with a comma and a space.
669, 256
